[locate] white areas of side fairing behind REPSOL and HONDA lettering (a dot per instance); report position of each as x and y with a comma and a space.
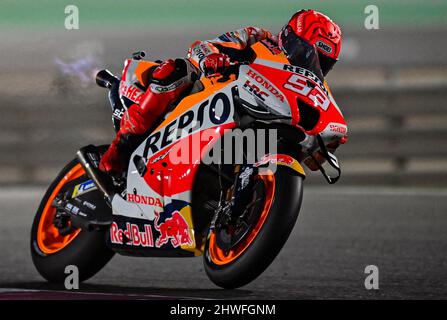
216, 110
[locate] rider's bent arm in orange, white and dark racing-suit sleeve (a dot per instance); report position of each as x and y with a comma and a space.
230, 43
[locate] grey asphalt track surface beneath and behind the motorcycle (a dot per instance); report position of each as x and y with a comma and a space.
339, 232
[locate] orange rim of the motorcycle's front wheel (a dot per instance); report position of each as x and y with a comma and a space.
220, 257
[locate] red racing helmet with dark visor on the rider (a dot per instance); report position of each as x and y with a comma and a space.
317, 29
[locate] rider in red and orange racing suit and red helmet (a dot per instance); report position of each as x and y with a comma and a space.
172, 79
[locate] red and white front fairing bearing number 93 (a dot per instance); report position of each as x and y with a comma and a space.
288, 90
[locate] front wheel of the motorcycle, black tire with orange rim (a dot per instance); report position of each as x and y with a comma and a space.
275, 204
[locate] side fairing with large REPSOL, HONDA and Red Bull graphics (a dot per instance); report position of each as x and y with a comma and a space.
162, 170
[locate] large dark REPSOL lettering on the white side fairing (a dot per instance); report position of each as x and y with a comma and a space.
212, 112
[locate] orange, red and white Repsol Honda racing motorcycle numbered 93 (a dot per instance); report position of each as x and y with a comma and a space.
237, 216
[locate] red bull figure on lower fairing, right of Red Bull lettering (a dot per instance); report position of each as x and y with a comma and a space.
174, 229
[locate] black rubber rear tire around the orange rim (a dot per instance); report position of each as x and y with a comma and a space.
87, 250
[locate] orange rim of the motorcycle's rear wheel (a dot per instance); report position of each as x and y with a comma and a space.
48, 238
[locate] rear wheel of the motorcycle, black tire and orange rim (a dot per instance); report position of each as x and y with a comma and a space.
52, 250
